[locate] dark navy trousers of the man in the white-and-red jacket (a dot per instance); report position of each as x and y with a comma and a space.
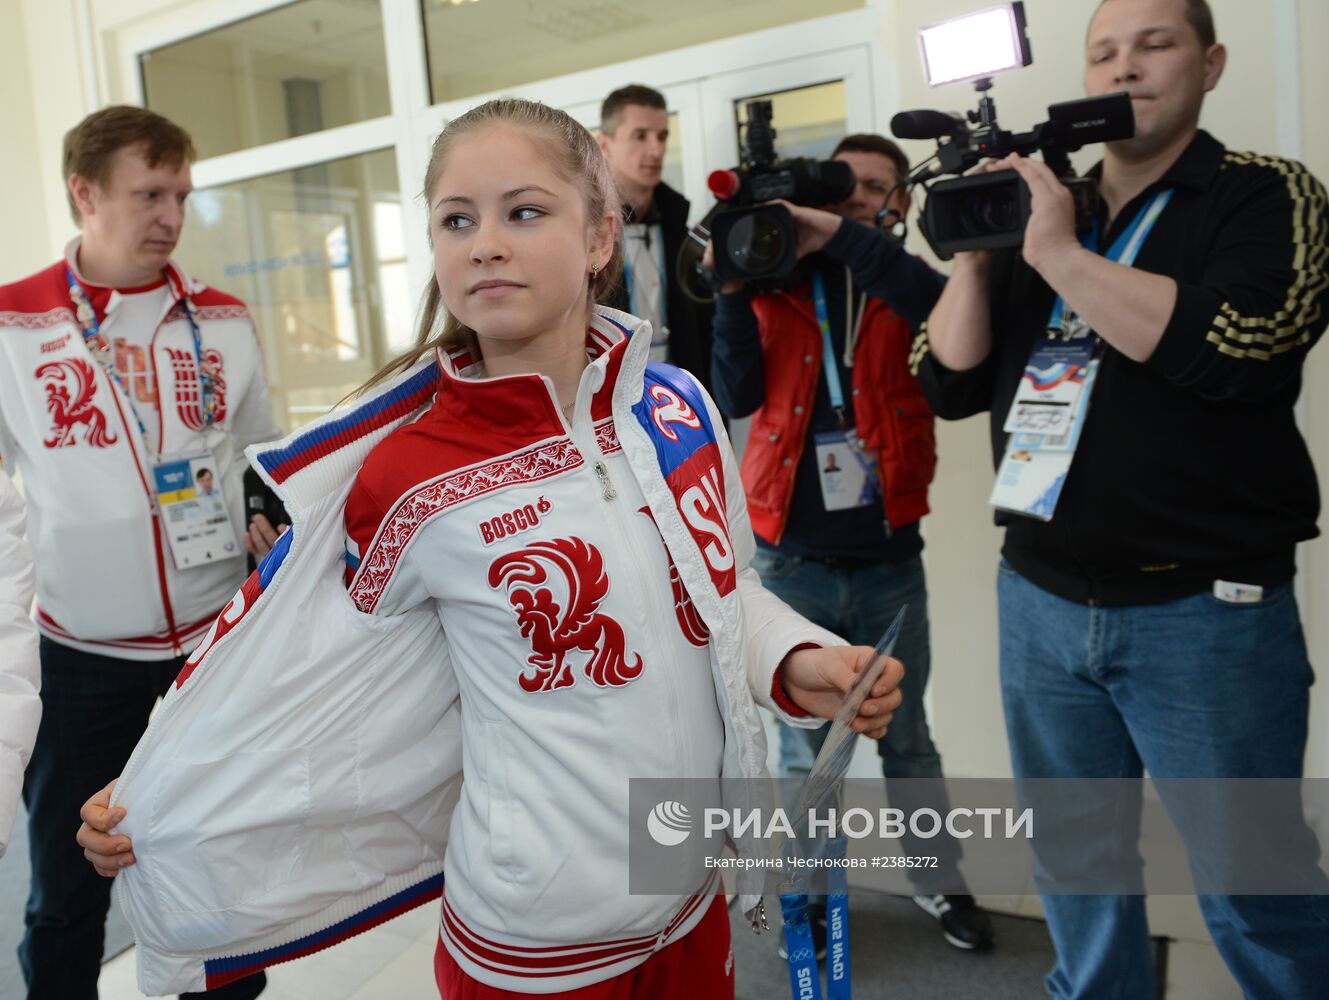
94, 711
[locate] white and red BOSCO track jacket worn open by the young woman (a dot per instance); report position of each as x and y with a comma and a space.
550, 608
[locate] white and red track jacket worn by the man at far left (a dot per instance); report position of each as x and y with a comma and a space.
106, 579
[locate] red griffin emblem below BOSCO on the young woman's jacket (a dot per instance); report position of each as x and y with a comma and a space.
555, 631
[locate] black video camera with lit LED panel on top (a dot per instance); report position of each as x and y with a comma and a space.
991, 211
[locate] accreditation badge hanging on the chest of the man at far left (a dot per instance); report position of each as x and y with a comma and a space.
193, 511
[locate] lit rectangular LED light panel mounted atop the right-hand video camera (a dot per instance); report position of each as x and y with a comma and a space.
976, 46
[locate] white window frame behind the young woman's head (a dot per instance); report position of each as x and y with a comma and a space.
769, 55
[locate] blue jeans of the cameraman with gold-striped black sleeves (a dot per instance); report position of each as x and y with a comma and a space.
1187, 689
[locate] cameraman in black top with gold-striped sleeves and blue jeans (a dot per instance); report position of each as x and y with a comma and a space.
1148, 619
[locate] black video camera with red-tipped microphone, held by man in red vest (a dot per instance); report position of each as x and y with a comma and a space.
754, 241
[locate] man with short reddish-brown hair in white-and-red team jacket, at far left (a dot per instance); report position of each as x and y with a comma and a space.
119, 376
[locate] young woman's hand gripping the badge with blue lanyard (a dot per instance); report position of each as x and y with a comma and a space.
817, 680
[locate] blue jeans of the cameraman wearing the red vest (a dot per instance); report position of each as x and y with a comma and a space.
859, 606
